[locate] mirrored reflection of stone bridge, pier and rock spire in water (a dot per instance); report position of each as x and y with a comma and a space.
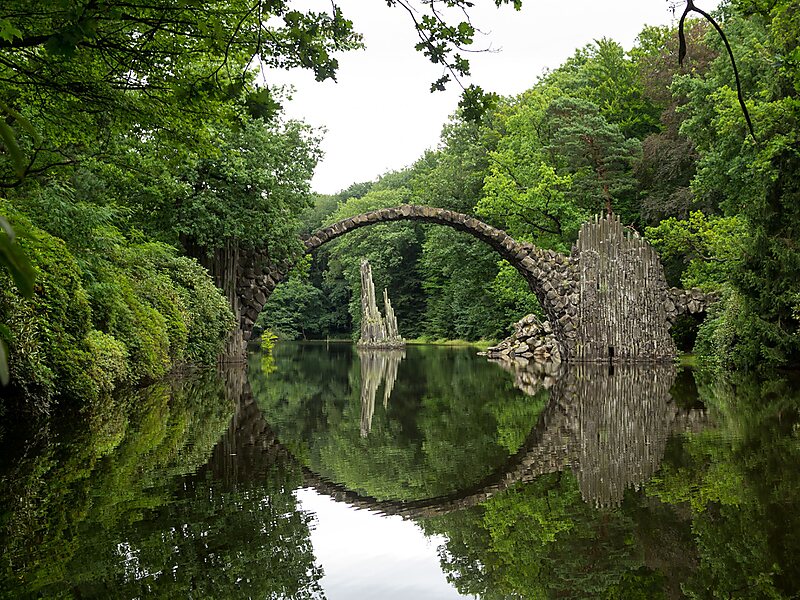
609, 428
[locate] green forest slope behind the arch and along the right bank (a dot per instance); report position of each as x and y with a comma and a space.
666, 147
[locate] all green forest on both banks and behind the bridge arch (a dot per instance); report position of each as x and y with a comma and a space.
139, 152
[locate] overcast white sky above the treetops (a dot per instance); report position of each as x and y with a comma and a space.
380, 116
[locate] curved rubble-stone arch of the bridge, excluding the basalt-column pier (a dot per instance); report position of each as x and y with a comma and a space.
549, 274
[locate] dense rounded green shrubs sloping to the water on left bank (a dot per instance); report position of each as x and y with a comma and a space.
105, 312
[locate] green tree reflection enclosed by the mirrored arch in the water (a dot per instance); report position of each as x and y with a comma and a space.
452, 419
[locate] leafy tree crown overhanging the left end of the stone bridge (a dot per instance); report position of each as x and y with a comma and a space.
249, 190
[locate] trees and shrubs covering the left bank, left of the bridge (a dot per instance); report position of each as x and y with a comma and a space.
136, 143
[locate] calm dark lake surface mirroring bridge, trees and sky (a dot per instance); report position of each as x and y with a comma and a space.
327, 472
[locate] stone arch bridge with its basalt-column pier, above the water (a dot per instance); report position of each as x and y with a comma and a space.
607, 301
